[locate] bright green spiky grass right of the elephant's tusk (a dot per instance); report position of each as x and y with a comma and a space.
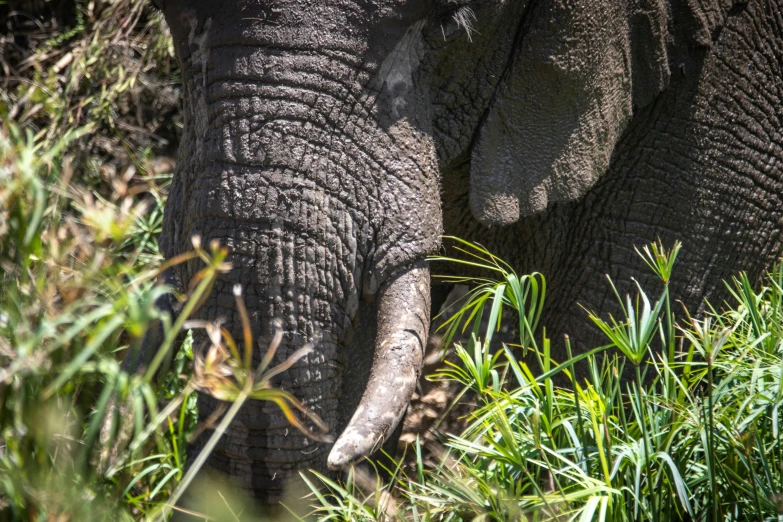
694, 434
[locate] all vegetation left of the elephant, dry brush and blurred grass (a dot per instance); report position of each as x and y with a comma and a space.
81, 207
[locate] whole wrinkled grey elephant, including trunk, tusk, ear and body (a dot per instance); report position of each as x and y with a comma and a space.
330, 143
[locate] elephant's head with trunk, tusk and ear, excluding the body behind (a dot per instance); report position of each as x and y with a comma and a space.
317, 136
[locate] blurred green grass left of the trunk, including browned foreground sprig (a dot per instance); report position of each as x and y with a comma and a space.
80, 438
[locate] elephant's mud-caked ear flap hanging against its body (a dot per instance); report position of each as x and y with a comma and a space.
580, 68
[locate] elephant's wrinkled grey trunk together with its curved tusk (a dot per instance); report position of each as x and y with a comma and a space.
291, 158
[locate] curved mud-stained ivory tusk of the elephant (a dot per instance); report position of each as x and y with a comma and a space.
403, 325
